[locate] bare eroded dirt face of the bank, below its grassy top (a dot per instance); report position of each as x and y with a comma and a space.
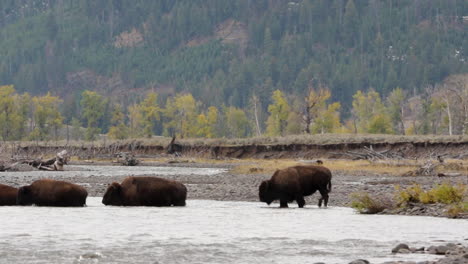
405, 150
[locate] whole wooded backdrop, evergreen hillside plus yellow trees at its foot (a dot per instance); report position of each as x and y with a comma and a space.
232, 68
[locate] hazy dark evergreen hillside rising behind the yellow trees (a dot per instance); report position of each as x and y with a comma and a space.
233, 53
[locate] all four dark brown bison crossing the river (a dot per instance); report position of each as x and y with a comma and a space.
285, 185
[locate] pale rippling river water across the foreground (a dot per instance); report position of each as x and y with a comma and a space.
213, 232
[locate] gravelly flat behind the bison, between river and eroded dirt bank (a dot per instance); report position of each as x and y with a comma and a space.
240, 179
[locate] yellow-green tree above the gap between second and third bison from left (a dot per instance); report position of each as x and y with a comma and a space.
92, 105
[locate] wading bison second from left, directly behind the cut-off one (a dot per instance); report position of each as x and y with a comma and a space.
48, 192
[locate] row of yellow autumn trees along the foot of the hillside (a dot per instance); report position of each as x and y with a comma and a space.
443, 109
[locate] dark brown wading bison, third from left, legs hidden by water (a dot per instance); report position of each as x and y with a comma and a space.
145, 191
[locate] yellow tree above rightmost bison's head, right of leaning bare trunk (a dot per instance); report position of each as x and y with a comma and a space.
279, 111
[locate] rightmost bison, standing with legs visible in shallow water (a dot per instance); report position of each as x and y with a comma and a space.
294, 183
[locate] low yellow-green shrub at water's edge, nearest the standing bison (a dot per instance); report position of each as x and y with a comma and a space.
365, 204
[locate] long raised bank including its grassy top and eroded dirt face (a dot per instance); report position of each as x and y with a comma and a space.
331, 146
